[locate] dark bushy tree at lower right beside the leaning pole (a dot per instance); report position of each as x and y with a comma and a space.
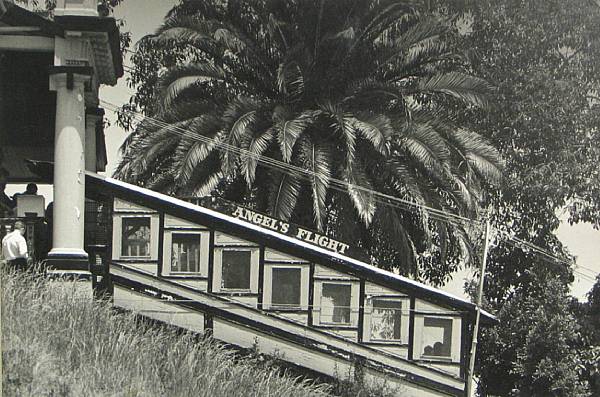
531, 353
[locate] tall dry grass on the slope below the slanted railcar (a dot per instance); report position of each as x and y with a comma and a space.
58, 342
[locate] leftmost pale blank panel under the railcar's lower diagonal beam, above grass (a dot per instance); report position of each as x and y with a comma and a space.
158, 310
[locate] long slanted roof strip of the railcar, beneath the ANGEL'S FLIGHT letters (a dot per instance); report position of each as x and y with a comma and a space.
192, 212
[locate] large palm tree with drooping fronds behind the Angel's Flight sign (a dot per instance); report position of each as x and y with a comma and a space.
351, 95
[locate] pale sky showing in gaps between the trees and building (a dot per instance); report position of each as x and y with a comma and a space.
144, 16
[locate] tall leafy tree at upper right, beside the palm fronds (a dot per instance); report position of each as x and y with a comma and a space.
544, 58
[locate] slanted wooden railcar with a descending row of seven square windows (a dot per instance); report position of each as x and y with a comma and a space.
207, 271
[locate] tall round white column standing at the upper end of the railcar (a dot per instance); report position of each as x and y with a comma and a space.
69, 170
